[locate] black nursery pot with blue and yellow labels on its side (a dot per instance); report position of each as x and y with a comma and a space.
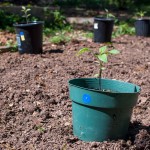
29, 37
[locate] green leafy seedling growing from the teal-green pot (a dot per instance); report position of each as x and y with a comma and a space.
102, 58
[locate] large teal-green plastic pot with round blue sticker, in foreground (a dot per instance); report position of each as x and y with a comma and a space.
99, 115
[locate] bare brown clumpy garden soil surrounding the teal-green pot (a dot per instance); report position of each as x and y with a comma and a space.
35, 108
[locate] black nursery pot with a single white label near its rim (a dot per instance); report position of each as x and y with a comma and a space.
103, 28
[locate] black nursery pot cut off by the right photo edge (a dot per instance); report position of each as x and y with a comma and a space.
142, 27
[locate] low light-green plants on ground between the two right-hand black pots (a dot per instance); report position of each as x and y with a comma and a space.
122, 29
